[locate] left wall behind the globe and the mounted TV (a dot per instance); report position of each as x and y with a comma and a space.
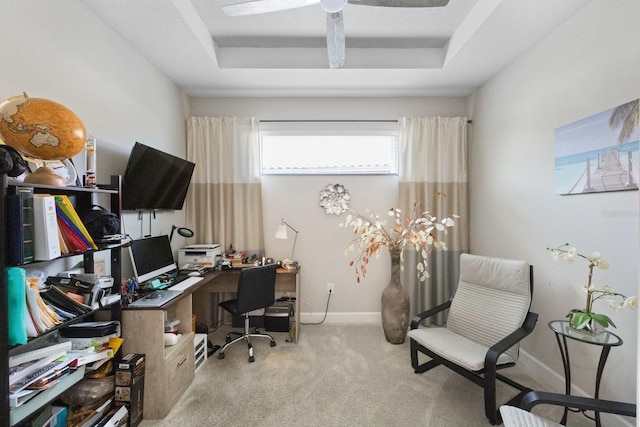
62, 51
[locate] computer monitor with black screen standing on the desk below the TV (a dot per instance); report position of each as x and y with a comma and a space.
151, 257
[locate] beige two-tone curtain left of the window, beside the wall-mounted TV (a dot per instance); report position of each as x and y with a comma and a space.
224, 202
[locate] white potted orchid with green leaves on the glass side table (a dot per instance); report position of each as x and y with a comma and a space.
581, 318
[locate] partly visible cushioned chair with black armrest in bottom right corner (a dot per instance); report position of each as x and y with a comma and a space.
517, 417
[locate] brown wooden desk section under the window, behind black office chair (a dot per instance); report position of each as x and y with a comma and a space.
227, 281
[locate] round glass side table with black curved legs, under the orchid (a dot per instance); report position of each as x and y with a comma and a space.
605, 339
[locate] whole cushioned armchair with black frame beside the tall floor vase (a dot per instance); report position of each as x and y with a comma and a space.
488, 317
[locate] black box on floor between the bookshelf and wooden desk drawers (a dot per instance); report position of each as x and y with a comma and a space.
130, 386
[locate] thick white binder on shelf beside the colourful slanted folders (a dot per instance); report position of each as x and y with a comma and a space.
45, 227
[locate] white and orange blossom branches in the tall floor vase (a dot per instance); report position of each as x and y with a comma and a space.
415, 231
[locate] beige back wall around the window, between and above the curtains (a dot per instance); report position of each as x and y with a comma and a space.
321, 242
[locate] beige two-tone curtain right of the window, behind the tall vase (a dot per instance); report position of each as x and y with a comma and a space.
433, 172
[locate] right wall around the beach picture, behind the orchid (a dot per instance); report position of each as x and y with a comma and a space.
590, 64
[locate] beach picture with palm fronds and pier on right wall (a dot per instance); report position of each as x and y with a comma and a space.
599, 153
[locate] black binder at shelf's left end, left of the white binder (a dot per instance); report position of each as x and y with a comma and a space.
20, 226
